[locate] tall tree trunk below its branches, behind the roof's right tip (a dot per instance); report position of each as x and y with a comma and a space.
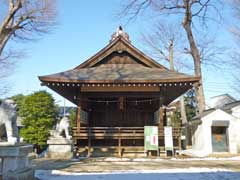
197, 65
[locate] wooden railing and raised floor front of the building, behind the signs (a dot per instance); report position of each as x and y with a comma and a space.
117, 141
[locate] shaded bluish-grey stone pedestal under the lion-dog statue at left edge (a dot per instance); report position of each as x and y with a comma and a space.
14, 162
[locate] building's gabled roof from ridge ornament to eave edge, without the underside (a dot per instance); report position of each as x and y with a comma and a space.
119, 61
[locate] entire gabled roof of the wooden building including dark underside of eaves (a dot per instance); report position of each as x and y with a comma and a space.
120, 62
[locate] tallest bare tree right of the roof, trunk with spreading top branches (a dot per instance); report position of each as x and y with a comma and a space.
188, 10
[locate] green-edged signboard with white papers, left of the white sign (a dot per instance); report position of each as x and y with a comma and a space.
150, 138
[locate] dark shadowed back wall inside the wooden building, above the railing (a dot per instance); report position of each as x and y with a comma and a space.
111, 115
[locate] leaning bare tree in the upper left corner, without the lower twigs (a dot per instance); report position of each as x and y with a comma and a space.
25, 18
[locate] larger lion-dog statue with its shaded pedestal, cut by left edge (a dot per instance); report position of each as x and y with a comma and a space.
14, 163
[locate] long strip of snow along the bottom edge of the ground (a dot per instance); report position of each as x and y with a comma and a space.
166, 174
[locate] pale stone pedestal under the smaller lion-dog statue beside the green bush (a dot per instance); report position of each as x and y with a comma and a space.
59, 148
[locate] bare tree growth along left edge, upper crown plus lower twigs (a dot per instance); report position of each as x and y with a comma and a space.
23, 20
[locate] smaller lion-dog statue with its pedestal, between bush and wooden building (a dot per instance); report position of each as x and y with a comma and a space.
60, 142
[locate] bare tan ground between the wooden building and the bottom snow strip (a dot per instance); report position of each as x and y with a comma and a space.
115, 164
